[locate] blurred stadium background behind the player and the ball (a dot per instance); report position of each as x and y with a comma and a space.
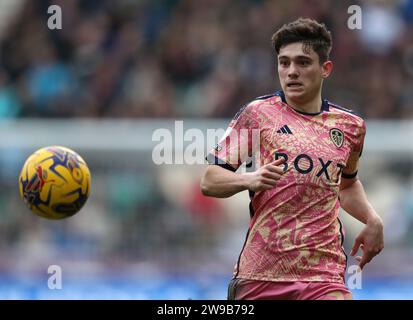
119, 70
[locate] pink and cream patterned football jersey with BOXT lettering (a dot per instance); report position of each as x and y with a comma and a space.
294, 233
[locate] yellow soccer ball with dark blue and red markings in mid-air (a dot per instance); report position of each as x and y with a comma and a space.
55, 182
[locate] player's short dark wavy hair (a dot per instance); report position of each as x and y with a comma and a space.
310, 32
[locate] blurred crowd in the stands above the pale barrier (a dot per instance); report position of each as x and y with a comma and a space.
185, 58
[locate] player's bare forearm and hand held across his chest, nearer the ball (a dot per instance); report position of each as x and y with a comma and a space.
221, 182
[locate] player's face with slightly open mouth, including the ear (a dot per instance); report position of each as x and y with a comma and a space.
300, 73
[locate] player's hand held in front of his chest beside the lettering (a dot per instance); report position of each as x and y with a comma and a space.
267, 176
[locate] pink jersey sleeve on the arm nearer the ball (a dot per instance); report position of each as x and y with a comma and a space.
239, 141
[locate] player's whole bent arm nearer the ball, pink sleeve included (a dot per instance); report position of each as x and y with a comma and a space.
238, 144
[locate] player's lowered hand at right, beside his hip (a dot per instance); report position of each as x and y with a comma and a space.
371, 241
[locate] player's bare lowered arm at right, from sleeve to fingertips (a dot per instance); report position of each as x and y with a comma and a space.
354, 201
